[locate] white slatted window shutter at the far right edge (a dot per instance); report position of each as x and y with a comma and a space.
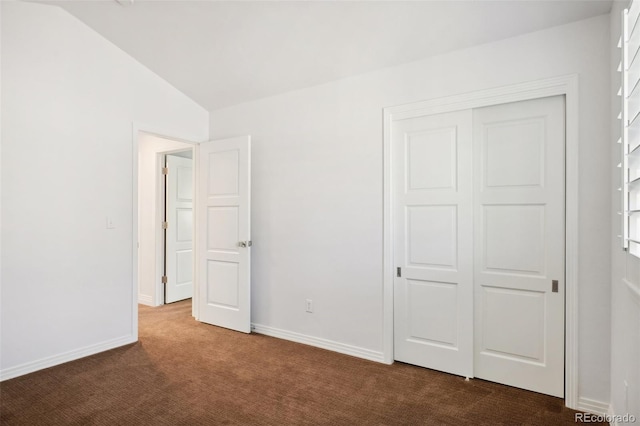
630, 132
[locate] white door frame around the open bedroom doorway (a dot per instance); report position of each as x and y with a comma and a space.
136, 128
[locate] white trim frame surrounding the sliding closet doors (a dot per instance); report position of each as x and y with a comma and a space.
563, 85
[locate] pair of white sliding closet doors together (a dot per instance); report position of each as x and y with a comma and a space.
476, 215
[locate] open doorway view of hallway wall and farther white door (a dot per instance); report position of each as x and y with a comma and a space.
154, 220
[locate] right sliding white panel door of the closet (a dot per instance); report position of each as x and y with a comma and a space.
519, 244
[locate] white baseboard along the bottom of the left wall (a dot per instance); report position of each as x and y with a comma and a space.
30, 367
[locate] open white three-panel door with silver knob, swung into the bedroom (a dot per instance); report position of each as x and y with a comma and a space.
224, 233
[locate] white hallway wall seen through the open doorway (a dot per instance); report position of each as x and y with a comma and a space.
150, 253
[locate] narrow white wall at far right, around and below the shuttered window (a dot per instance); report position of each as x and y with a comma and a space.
625, 277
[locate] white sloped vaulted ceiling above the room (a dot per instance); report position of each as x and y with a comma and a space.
222, 53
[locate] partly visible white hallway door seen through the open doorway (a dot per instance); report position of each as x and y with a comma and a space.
179, 232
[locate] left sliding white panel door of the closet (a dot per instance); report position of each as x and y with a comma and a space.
433, 295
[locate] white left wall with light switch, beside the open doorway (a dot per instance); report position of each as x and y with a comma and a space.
69, 99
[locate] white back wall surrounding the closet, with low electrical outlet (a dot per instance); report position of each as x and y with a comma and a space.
317, 187
